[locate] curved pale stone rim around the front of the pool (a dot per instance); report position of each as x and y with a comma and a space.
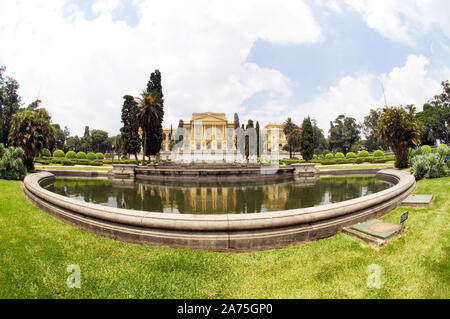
220, 232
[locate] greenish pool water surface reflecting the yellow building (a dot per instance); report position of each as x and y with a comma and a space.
220, 197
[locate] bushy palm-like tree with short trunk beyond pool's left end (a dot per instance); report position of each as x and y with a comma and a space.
31, 130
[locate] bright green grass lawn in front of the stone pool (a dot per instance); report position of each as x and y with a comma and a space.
36, 250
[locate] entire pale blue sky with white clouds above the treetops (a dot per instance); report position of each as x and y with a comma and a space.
266, 60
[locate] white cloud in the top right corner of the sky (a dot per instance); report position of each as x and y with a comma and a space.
404, 21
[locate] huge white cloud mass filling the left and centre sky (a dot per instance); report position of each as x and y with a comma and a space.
81, 69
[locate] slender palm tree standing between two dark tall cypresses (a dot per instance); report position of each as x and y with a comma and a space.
149, 115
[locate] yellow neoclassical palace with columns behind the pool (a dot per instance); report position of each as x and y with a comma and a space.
211, 137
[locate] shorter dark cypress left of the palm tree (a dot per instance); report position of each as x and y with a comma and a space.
130, 130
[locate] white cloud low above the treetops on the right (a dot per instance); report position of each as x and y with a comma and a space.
355, 95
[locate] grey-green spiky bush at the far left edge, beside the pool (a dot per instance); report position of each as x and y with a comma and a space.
11, 163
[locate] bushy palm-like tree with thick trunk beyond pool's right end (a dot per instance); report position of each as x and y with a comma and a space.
400, 128
